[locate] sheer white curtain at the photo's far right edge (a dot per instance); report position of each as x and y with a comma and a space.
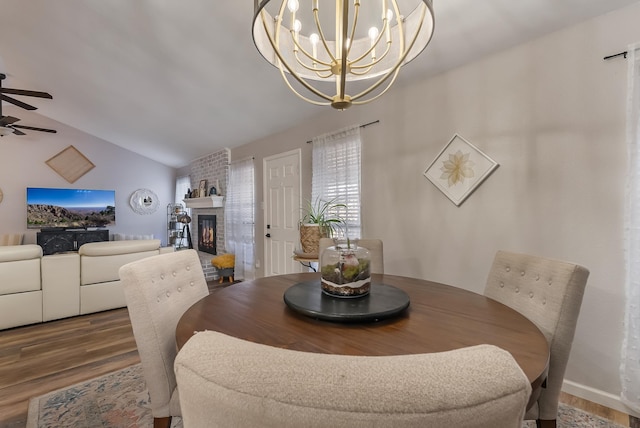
630, 367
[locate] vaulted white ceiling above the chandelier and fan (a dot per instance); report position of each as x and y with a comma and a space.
175, 80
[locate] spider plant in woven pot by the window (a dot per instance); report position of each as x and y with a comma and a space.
320, 219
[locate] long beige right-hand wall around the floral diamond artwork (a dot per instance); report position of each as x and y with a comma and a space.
552, 114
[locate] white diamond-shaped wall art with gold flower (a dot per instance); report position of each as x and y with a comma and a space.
459, 169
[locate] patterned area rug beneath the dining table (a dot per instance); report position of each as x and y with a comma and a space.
120, 399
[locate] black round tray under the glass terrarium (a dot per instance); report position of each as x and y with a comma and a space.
383, 301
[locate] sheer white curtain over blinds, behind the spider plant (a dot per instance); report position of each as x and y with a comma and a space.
336, 174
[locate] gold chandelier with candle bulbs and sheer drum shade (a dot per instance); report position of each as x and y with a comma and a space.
360, 63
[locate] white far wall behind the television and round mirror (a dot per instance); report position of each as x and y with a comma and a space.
22, 165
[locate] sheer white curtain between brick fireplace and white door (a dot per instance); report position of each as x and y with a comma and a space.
239, 217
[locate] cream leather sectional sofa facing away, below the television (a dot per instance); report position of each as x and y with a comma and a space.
36, 288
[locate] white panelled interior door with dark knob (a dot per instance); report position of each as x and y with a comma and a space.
282, 212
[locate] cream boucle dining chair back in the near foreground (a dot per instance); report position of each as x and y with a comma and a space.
252, 385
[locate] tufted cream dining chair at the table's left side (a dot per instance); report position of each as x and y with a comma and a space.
158, 290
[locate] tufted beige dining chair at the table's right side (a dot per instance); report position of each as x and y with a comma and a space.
549, 293
